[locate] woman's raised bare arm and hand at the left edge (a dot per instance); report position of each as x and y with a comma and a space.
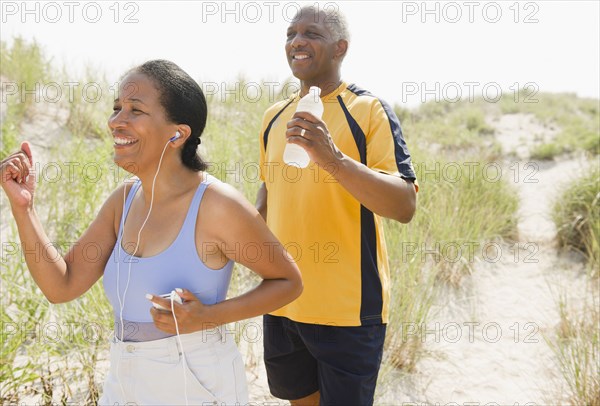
60, 278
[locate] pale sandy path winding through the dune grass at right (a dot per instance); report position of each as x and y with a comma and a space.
487, 341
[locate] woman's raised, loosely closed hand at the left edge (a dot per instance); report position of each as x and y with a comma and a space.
17, 177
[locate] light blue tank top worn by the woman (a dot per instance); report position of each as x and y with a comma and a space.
178, 266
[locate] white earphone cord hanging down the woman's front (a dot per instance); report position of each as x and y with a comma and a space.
137, 245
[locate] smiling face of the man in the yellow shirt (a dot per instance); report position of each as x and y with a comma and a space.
311, 49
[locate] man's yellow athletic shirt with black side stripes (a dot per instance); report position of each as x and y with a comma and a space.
337, 243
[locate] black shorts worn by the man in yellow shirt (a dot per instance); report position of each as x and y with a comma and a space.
340, 362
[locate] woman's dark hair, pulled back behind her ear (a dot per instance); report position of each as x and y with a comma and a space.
183, 101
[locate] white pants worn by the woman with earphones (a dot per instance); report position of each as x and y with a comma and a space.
152, 372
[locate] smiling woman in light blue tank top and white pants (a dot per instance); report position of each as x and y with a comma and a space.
173, 229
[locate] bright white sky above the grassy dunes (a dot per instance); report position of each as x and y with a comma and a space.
398, 51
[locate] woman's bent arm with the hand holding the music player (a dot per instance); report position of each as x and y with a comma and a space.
235, 225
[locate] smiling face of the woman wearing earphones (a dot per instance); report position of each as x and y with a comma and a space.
139, 125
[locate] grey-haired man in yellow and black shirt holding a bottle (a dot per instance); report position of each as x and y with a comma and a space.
326, 346
